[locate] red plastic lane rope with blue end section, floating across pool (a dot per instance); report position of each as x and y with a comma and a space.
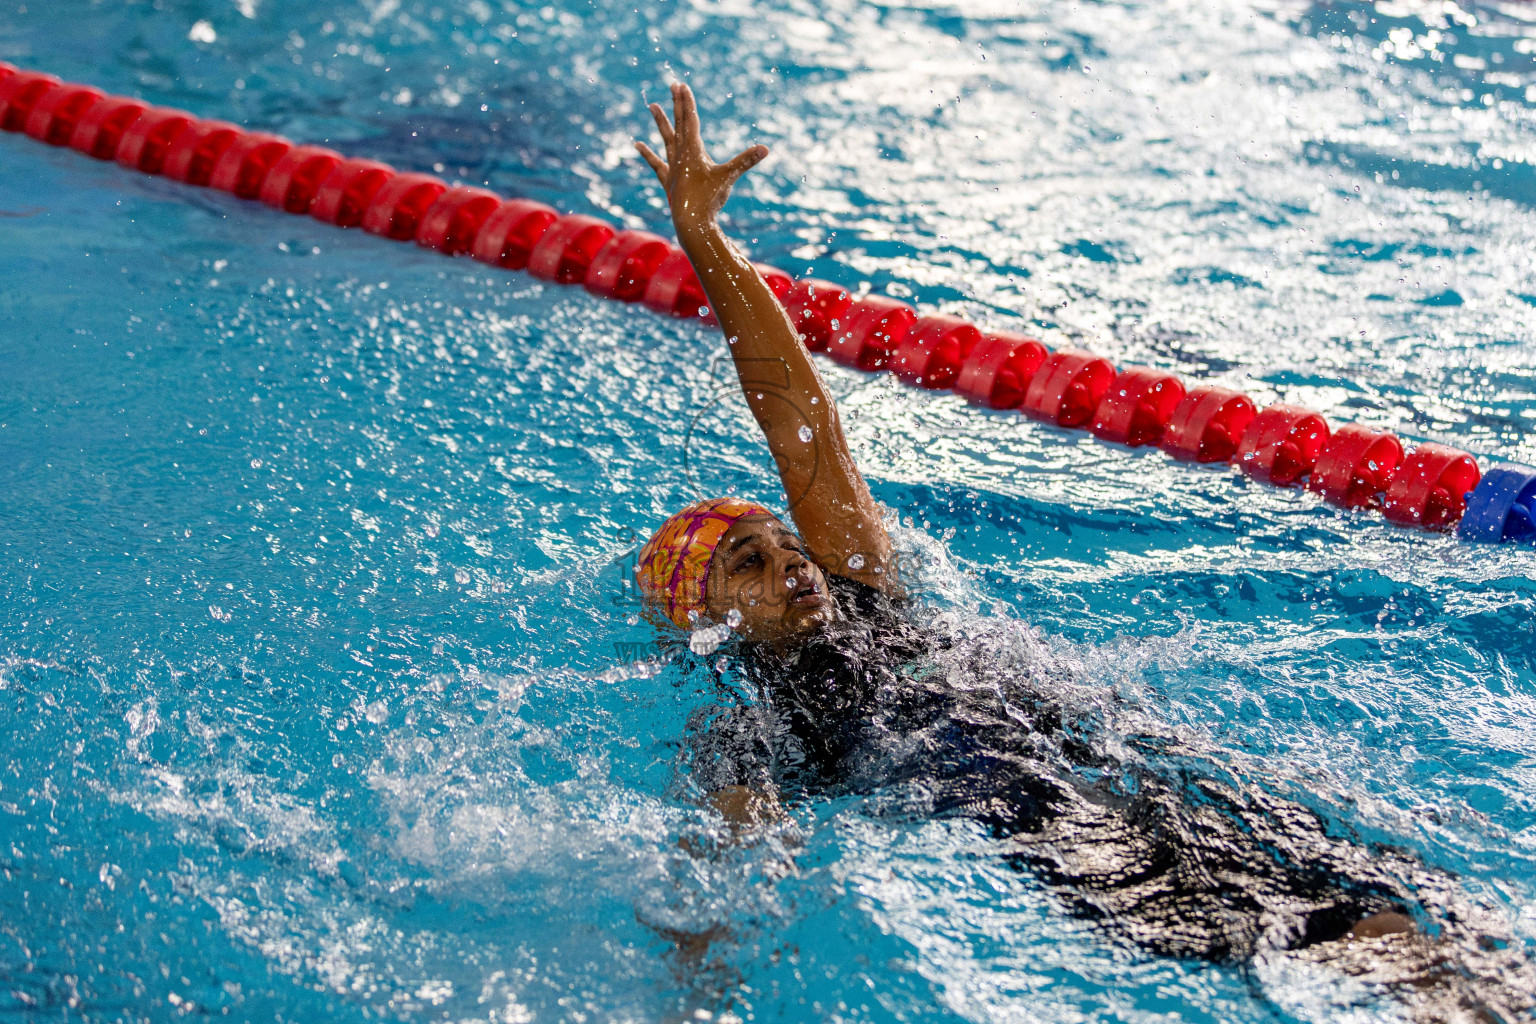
1354, 467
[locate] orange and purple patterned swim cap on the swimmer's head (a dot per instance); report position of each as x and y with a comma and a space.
675, 563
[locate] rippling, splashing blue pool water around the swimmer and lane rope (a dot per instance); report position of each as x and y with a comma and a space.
320, 690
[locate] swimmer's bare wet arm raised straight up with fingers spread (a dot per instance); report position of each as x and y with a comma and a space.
829, 500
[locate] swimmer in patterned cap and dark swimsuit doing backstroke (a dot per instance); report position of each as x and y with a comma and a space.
1185, 867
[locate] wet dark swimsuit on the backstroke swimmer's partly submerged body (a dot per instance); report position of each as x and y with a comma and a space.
1177, 860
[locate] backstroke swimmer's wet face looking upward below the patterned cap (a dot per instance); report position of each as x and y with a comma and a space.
763, 572
